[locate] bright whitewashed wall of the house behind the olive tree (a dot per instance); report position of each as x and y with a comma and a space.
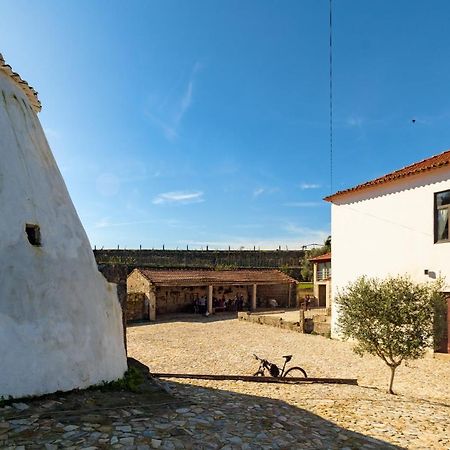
388, 230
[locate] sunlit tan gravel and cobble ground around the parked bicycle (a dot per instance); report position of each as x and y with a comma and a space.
418, 417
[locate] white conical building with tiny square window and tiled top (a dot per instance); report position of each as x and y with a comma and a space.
60, 320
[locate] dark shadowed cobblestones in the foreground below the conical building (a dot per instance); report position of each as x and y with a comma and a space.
192, 418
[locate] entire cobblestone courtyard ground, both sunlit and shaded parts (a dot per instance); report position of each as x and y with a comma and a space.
238, 415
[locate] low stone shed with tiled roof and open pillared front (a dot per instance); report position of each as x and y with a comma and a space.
152, 292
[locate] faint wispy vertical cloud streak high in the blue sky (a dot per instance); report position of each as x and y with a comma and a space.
169, 115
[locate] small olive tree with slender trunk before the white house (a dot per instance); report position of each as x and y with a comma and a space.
392, 318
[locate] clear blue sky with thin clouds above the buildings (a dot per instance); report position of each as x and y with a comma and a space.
206, 122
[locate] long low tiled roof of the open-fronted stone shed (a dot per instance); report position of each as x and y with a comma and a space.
205, 276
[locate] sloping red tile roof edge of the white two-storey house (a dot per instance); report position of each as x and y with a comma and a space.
435, 162
